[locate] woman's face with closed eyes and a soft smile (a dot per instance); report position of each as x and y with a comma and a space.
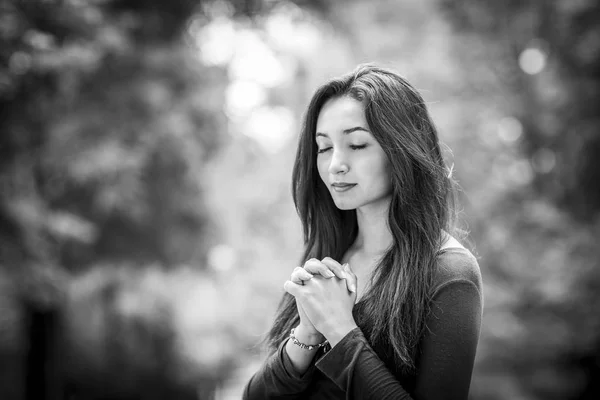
350, 161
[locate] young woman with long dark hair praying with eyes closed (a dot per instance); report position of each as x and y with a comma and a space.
387, 304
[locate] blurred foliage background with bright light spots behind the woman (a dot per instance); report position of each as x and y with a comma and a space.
146, 221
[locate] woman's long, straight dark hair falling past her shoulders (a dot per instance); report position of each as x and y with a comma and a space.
392, 312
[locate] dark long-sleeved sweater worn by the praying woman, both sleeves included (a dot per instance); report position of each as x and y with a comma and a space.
354, 370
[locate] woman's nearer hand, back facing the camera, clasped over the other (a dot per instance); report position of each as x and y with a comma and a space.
327, 303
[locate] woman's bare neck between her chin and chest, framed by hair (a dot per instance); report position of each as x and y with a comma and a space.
374, 235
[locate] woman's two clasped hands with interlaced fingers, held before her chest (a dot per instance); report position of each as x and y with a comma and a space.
325, 293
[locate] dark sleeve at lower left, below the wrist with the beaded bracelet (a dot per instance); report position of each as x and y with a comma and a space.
277, 379
